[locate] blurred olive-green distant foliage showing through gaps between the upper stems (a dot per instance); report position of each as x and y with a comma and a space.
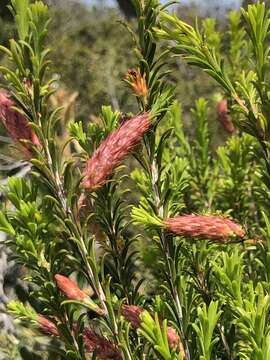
92, 52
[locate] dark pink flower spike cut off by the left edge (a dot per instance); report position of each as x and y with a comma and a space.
16, 125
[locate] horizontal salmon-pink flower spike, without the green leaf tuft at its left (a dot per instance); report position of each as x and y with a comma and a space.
204, 226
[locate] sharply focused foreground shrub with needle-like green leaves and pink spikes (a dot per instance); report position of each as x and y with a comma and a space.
58, 213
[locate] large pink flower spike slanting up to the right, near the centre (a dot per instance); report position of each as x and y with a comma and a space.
113, 150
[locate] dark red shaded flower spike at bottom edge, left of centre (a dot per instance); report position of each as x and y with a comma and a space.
105, 349
